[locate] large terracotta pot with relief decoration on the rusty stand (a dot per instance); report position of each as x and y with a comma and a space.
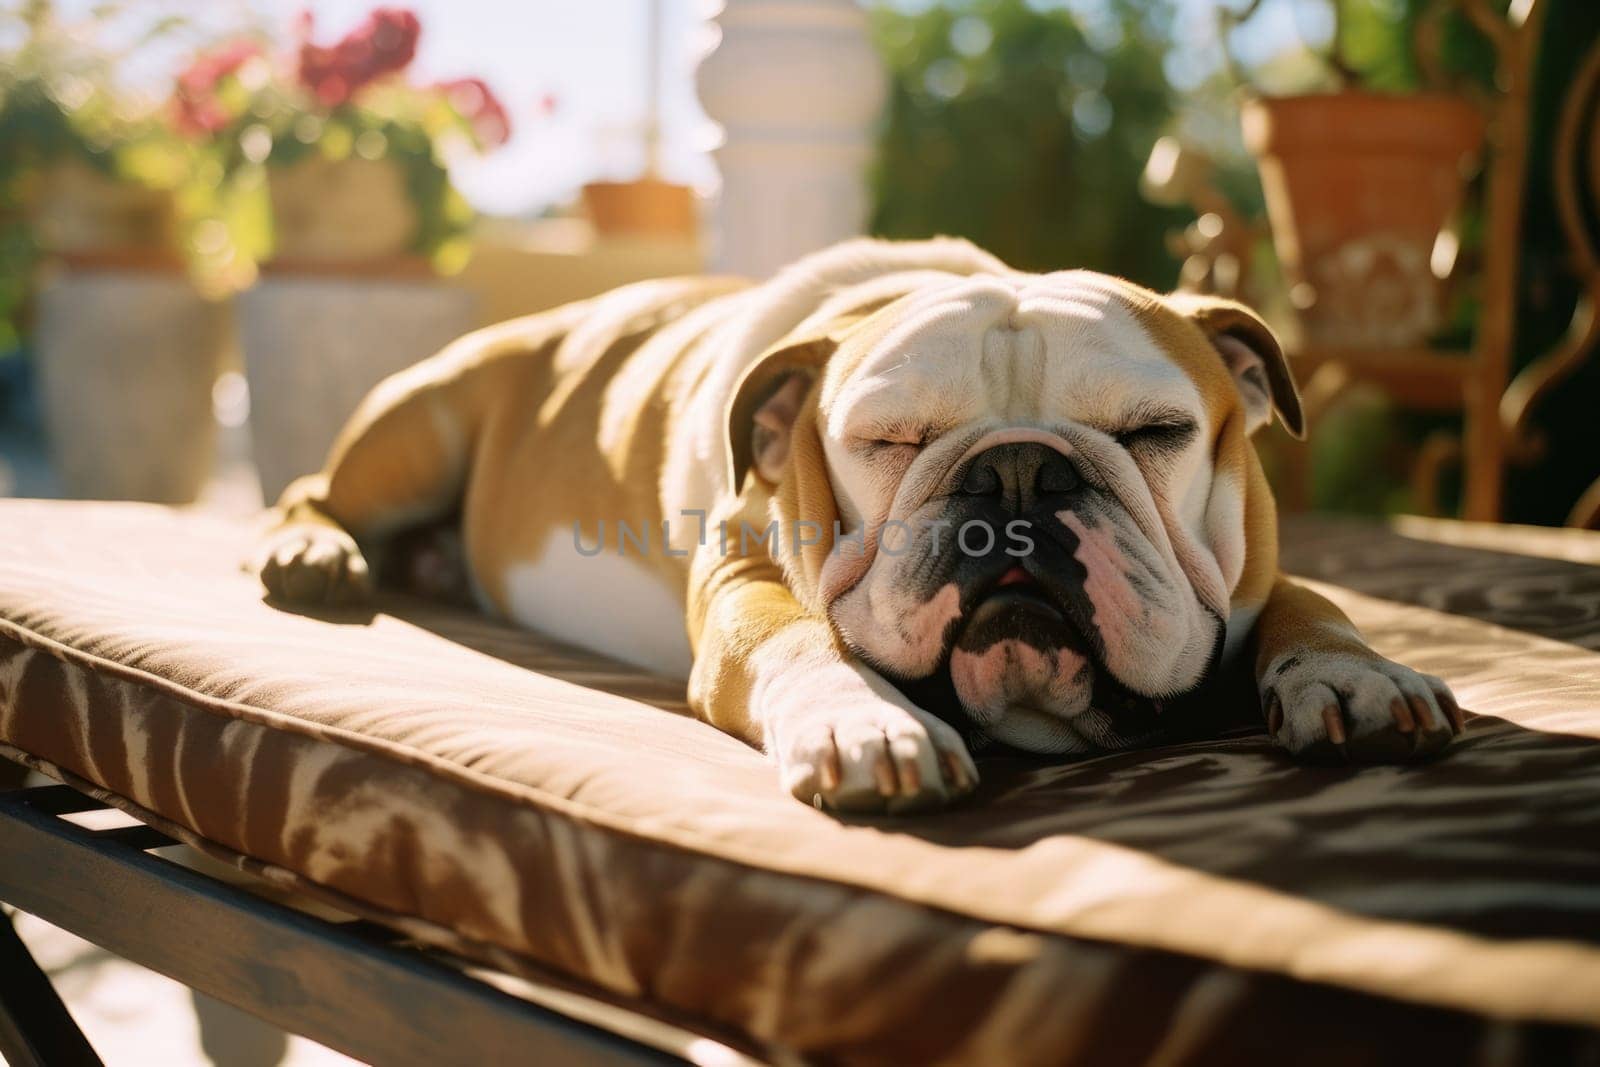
1358, 188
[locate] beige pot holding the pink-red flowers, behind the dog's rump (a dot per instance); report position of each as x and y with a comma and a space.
346, 210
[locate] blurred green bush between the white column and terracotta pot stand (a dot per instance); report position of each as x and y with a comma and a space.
1012, 126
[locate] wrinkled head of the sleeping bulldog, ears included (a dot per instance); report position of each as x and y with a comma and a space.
1030, 494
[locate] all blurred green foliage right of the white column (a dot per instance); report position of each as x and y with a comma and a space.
1025, 127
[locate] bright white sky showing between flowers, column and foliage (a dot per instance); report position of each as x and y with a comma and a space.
590, 57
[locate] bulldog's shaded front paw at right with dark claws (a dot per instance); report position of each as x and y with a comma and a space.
1358, 708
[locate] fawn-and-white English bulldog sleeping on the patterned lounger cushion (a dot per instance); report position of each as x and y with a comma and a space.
897, 498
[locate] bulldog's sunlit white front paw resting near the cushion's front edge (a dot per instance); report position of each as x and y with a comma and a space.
879, 757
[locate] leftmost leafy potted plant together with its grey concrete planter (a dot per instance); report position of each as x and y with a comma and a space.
127, 350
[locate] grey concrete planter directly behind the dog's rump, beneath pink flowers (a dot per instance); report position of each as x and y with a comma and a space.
314, 348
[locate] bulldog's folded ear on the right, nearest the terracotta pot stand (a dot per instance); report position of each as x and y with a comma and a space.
1254, 358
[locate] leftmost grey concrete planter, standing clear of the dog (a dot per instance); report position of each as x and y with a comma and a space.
127, 361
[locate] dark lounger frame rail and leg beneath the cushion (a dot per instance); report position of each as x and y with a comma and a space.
350, 986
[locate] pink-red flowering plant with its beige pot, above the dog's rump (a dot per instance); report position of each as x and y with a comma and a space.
329, 156
